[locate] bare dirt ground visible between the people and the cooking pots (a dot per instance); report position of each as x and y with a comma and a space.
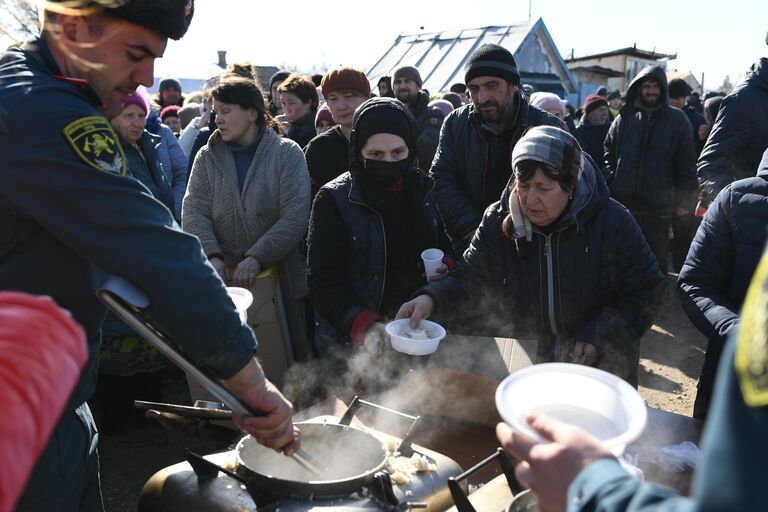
671, 356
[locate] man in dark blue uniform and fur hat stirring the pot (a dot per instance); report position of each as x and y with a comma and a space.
69, 216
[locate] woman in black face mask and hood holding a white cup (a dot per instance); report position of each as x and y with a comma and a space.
368, 229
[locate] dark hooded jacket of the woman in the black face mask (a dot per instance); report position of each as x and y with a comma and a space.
347, 257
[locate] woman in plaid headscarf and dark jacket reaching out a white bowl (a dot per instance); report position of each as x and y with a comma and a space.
561, 260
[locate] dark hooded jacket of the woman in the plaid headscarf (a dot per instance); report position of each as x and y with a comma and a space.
593, 278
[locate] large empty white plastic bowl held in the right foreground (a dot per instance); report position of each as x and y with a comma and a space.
600, 403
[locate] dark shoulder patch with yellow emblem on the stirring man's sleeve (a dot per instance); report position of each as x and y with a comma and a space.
96, 144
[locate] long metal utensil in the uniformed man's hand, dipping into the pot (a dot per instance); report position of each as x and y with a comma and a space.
127, 301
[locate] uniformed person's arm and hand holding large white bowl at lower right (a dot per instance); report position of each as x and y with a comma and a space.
573, 471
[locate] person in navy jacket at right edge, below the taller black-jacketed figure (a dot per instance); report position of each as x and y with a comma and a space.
720, 264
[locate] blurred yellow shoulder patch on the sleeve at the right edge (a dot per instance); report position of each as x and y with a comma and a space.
751, 359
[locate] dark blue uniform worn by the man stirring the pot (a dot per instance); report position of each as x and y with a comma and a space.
69, 216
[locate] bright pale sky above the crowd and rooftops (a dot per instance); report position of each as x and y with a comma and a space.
717, 38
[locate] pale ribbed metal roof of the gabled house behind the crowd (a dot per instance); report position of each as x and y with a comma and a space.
440, 56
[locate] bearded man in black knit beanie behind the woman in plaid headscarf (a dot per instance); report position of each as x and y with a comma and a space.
472, 165
